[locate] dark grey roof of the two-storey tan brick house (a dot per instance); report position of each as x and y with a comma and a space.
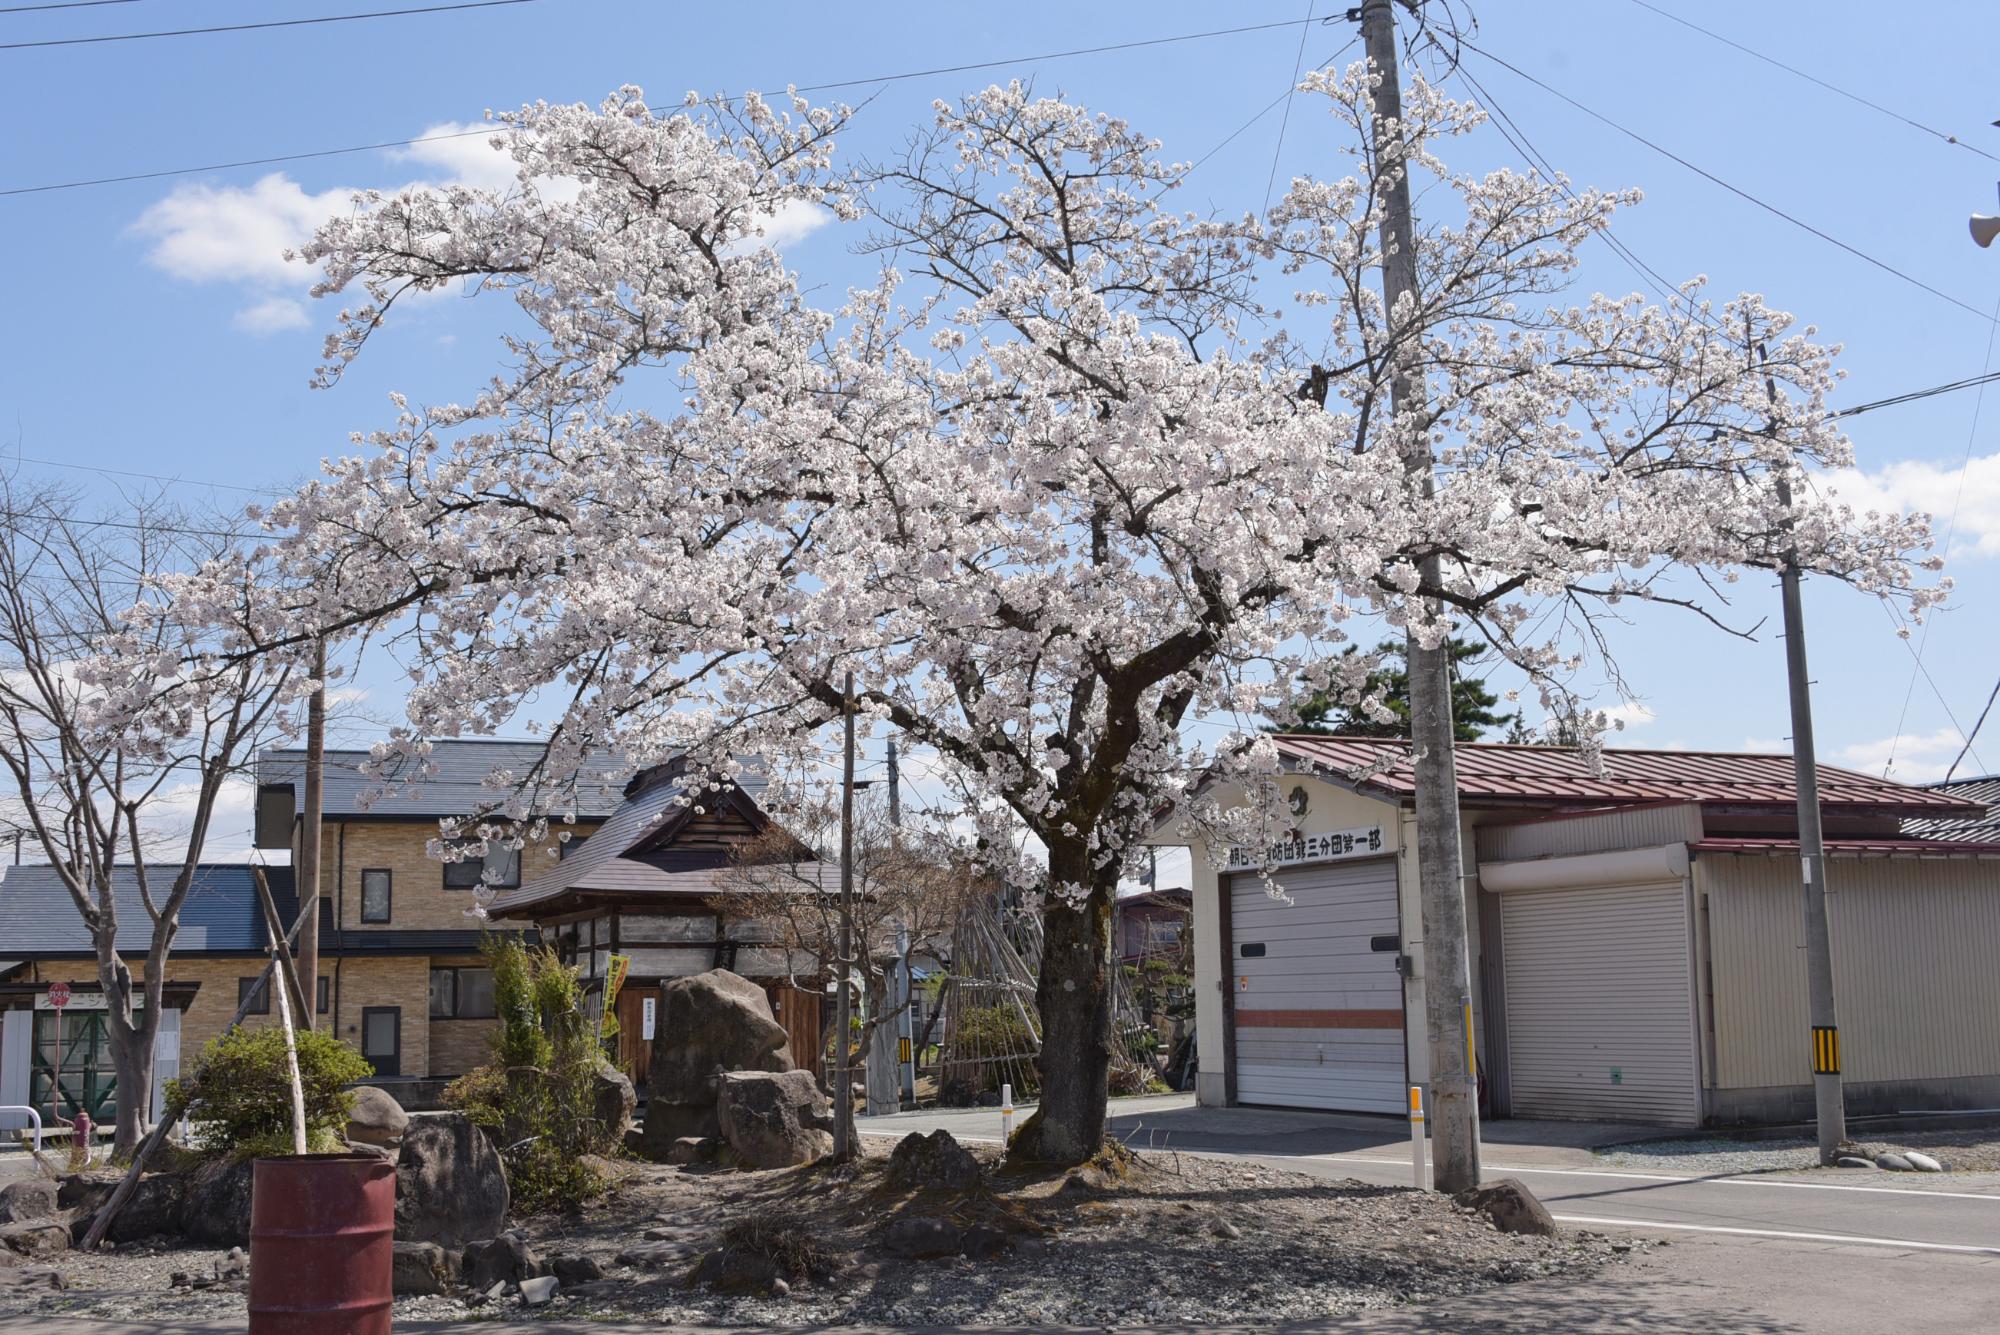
459, 786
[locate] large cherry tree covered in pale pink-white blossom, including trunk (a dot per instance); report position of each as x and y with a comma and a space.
1061, 483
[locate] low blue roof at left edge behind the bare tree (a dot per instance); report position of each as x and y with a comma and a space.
221, 914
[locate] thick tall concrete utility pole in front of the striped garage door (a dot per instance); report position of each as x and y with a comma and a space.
1455, 1108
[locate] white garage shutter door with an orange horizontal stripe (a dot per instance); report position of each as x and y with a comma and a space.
1317, 1006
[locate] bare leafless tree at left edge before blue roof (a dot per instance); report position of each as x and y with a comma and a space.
137, 804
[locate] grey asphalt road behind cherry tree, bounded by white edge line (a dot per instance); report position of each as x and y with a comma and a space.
1945, 1216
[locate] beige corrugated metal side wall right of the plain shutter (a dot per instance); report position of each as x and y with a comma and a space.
1915, 974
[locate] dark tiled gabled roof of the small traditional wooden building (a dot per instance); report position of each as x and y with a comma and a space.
633, 854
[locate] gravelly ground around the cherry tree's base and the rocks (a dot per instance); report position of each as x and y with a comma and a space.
1181, 1240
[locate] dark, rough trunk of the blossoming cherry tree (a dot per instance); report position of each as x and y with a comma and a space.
1075, 998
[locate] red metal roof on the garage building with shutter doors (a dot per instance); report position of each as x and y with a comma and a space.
1565, 776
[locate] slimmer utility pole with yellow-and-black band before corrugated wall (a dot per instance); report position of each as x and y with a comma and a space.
1827, 1096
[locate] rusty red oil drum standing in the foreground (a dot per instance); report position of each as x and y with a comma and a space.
323, 1246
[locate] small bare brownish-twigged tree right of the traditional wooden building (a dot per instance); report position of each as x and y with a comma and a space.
907, 880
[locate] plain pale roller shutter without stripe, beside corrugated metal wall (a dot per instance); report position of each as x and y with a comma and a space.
1599, 1004
